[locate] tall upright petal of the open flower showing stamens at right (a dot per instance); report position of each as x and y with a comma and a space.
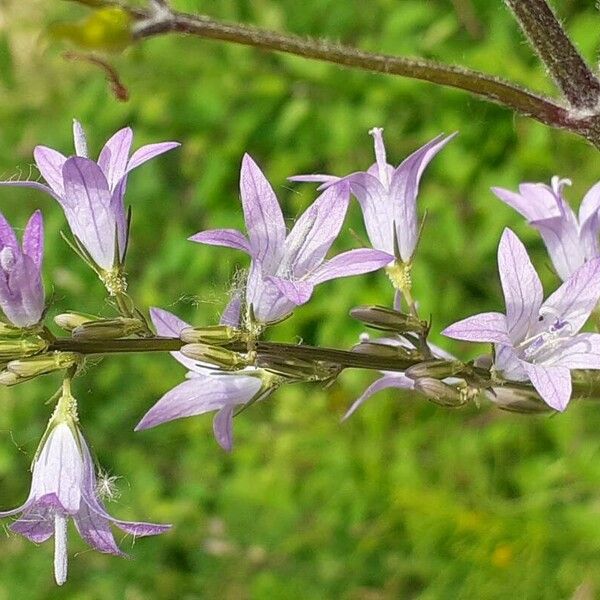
523, 293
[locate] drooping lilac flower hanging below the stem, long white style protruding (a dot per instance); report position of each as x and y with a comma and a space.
64, 486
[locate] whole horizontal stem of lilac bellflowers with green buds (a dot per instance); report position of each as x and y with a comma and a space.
535, 344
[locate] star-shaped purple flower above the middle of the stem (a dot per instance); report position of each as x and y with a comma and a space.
286, 268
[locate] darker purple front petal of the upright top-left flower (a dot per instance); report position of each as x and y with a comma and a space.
88, 209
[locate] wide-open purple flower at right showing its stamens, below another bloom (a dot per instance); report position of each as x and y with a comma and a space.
536, 340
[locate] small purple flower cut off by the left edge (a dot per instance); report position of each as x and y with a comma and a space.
21, 290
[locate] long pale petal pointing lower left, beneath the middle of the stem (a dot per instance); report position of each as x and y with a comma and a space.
200, 395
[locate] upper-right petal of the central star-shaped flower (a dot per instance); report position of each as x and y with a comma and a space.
315, 231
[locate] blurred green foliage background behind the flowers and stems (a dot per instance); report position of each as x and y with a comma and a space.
406, 499
